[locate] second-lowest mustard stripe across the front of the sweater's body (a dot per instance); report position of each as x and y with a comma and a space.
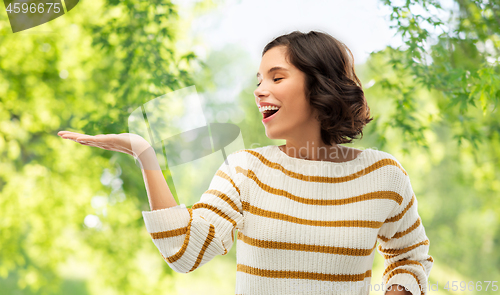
304, 247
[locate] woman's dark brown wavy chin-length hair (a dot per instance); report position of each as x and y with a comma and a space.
332, 87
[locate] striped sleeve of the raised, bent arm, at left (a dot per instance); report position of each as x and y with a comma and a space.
187, 238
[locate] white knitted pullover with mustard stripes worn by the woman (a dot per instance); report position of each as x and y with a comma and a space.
303, 226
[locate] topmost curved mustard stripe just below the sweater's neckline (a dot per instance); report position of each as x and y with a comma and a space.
373, 167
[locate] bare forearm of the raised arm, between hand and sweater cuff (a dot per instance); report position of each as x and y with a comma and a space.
159, 194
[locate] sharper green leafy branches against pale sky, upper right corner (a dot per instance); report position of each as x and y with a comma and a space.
461, 63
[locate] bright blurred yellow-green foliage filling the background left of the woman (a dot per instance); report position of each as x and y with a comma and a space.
62, 203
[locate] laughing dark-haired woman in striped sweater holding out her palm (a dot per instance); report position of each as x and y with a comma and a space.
309, 213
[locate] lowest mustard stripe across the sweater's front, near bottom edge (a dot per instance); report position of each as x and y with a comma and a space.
302, 274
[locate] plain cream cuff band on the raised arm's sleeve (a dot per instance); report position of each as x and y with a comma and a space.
166, 219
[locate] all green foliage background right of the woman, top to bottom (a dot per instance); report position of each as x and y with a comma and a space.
436, 99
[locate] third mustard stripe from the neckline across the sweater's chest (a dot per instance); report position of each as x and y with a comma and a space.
325, 223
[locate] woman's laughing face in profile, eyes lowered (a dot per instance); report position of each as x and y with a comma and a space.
284, 87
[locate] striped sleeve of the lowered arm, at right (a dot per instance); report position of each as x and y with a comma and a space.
404, 244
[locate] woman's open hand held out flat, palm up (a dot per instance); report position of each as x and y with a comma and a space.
128, 143
